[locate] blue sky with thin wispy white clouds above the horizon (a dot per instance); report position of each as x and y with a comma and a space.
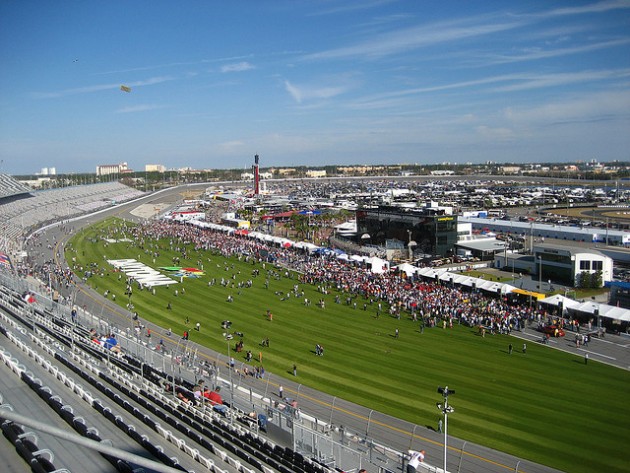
306, 82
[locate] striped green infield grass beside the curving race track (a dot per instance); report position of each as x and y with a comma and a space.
546, 406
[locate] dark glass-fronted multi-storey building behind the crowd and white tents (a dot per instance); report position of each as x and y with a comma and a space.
433, 231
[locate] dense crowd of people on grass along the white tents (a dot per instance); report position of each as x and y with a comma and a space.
428, 302
